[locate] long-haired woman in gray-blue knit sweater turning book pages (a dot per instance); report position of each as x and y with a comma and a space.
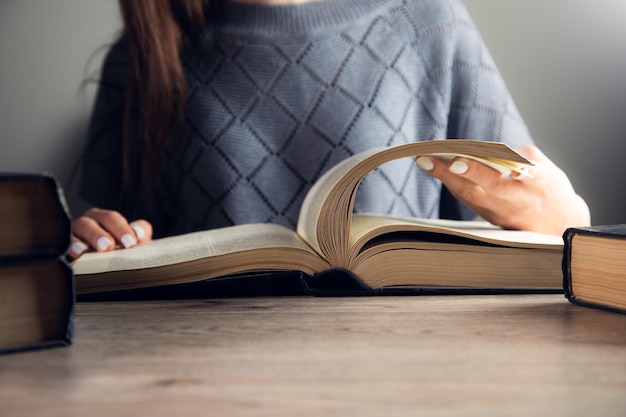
214, 113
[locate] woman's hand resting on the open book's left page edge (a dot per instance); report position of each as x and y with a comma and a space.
104, 230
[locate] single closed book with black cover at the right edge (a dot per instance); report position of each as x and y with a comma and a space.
594, 266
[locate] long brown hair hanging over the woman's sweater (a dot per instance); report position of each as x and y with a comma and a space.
155, 33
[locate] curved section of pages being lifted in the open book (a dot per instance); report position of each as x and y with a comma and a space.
326, 213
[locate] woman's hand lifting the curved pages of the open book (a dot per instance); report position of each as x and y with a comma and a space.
543, 202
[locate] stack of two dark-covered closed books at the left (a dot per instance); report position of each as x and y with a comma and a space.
36, 284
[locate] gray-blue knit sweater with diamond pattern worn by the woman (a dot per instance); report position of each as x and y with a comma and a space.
279, 94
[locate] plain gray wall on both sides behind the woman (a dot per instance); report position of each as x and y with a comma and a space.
564, 62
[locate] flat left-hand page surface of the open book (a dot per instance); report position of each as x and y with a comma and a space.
190, 247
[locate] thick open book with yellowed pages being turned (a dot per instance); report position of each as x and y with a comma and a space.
380, 253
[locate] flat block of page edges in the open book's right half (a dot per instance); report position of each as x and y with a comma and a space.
437, 265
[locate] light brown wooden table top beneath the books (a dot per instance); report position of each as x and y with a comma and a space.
526, 355
